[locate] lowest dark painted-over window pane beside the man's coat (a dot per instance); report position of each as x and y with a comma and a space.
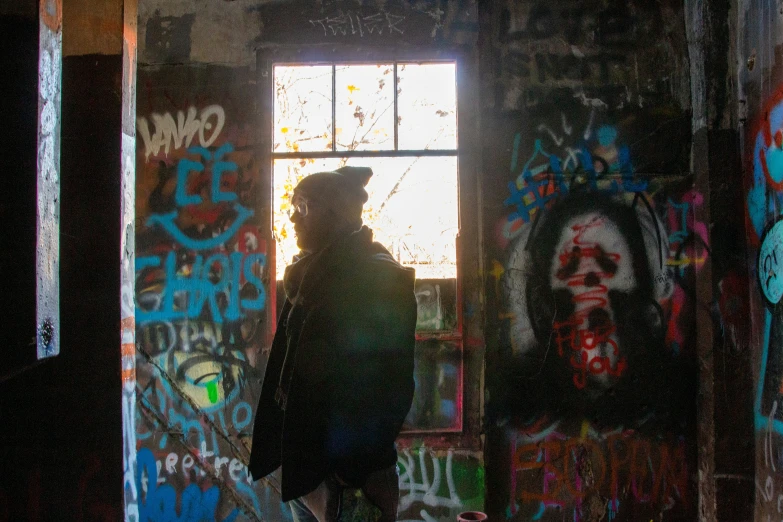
438, 376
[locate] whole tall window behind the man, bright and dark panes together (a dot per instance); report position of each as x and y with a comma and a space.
400, 119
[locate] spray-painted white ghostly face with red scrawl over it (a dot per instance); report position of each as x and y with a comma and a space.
593, 262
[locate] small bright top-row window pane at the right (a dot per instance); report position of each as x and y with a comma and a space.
427, 106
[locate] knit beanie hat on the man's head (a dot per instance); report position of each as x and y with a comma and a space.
342, 190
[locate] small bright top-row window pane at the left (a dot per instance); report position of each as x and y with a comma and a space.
303, 108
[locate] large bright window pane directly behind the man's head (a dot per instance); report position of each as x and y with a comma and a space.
412, 209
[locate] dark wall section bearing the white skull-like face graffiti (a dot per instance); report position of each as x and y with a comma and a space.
593, 249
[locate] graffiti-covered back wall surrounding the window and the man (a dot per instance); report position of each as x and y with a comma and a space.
593, 240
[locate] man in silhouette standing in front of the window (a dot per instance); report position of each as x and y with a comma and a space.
339, 380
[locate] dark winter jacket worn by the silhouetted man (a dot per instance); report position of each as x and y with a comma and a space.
339, 380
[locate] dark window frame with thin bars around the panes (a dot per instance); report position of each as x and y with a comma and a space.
466, 432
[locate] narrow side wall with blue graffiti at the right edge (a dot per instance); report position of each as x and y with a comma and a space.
761, 91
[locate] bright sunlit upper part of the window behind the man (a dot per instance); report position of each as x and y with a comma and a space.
328, 116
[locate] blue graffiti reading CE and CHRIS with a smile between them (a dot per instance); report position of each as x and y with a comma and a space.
228, 283
